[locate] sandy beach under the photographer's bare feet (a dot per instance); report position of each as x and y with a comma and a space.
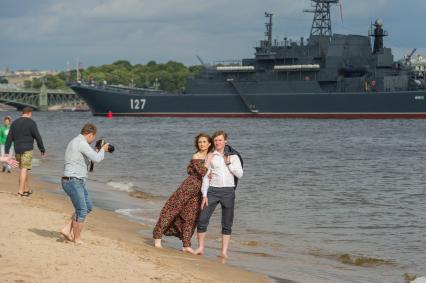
32, 249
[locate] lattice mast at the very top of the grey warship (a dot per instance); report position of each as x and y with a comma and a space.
321, 25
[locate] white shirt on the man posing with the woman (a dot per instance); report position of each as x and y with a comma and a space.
222, 175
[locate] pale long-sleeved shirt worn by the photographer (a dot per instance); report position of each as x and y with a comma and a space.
78, 156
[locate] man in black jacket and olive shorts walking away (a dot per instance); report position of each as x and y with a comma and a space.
22, 133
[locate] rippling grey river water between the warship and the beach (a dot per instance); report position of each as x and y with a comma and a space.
320, 200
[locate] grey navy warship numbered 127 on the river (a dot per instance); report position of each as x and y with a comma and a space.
326, 76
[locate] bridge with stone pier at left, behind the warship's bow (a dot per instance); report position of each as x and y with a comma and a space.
42, 99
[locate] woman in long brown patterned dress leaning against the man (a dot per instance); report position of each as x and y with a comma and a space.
180, 212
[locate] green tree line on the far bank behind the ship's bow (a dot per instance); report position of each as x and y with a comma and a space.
170, 76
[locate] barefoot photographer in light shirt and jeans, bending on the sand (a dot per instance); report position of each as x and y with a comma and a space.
78, 156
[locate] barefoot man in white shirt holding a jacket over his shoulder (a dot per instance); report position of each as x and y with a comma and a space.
219, 187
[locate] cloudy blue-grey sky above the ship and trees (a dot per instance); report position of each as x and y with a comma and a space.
53, 34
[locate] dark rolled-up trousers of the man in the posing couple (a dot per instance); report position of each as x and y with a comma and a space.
226, 198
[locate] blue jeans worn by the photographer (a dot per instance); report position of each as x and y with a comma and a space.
76, 190
